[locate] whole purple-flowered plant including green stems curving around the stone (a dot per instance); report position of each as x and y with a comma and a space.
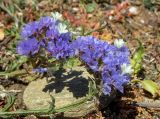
47, 46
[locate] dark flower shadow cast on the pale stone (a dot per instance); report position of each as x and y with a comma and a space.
73, 80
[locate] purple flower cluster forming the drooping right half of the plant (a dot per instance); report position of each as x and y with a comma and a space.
104, 59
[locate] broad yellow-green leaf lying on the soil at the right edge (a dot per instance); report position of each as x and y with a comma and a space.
150, 87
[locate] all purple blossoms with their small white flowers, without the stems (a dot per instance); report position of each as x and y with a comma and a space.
110, 62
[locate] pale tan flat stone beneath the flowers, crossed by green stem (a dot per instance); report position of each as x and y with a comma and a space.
67, 87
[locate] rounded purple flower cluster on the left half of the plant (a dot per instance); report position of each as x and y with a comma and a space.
46, 33
